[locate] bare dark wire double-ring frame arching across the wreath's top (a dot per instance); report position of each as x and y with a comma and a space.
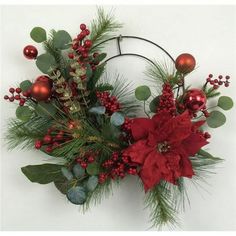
121, 37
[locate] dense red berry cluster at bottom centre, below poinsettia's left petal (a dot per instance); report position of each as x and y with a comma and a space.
117, 167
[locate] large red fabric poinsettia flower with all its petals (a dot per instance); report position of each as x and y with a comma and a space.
163, 146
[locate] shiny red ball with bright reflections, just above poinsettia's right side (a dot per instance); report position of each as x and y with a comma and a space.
195, 100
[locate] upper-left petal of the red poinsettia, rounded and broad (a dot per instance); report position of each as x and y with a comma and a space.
140, 128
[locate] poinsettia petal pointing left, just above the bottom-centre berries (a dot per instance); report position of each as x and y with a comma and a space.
138, 151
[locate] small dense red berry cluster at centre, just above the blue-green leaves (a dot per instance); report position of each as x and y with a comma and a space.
109, 102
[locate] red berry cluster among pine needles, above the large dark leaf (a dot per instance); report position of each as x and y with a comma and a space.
53, 139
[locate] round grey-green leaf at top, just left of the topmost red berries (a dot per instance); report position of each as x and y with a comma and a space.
62, 40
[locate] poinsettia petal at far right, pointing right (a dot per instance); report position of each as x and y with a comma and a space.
193, 143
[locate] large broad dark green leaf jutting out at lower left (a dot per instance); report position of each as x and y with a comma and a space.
43, 174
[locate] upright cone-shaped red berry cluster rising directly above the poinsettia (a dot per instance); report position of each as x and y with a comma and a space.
166, 100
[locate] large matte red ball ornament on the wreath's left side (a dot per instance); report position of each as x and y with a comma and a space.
41, 91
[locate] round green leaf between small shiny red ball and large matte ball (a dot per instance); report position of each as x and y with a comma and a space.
46, 63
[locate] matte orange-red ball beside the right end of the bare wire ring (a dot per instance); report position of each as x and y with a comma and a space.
185, 63
